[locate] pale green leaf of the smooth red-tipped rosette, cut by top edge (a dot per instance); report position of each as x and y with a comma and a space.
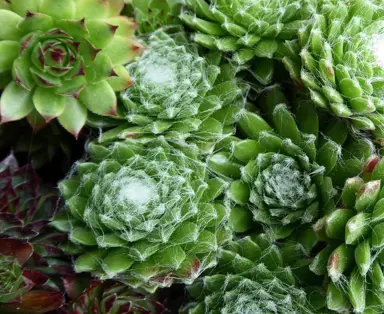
63, 9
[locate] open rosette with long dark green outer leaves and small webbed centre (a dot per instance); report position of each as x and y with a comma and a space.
283, 171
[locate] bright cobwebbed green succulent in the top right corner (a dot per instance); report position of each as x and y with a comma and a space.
342, 61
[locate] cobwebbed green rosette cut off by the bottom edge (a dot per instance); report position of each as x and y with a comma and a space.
250, 278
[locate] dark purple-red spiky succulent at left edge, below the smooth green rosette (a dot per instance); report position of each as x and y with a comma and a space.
26, 208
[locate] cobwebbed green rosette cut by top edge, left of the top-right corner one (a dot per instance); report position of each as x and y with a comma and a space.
250, 30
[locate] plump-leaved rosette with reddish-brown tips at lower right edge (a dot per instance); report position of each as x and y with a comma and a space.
353, 259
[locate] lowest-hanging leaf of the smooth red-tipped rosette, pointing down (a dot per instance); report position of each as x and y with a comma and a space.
74, 116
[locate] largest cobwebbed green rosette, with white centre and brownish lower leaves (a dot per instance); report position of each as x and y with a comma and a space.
143, 214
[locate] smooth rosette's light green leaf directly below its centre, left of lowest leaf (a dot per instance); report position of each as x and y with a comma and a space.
47, 103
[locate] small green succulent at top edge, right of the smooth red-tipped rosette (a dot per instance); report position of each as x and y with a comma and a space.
154, 14
